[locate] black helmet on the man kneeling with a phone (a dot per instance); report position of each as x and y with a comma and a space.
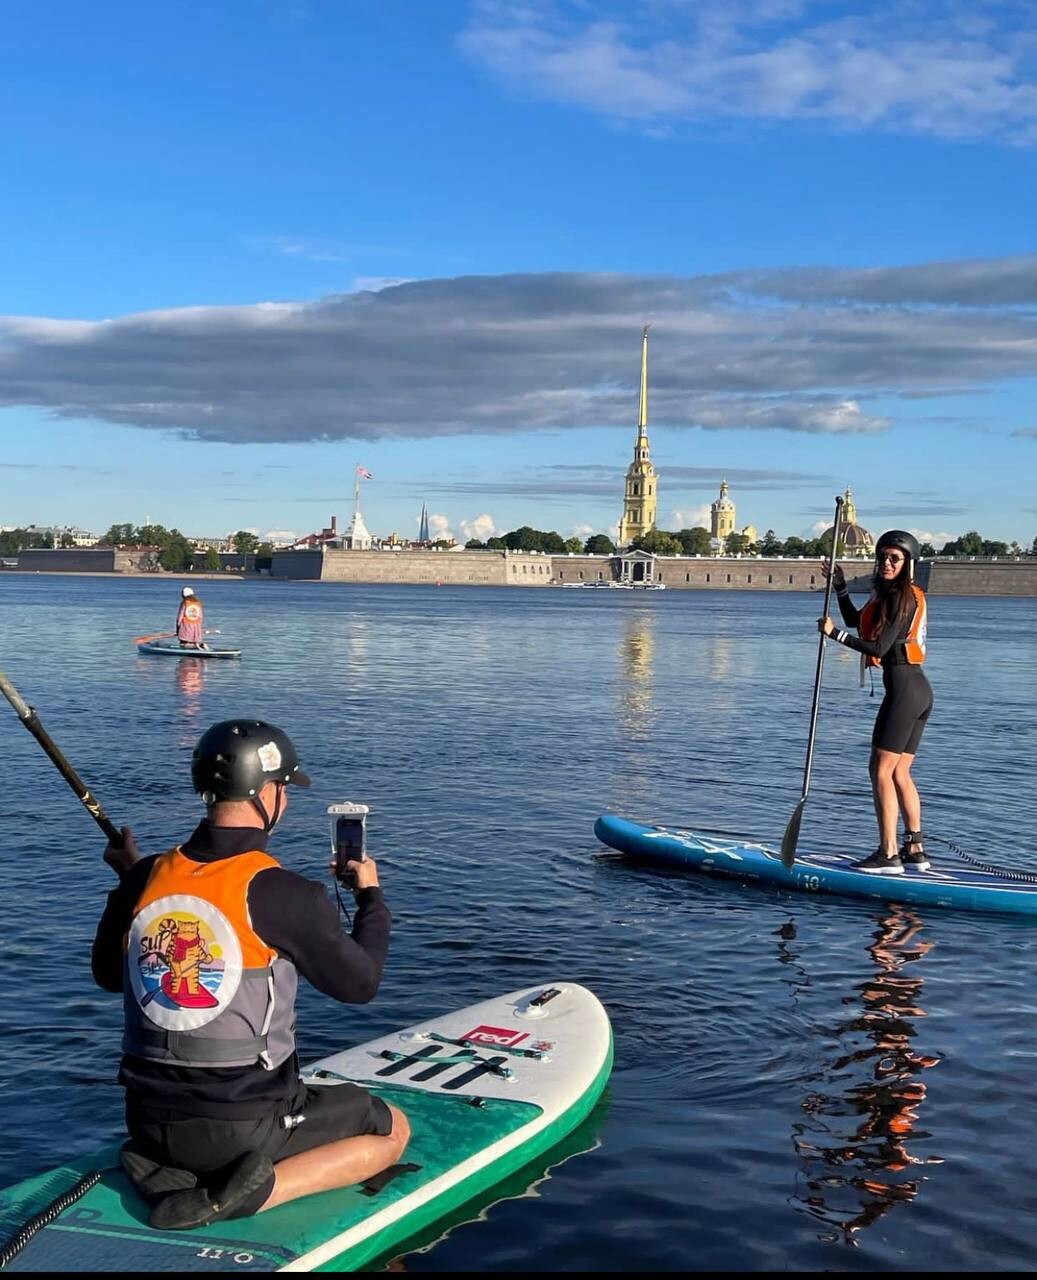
236, 758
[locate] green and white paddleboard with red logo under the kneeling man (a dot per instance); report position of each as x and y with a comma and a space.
487, 1090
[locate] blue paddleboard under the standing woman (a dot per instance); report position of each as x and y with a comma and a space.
961, 888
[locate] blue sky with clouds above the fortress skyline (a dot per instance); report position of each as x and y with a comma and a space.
248, 248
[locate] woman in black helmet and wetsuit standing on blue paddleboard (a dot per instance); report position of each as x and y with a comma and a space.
893, 637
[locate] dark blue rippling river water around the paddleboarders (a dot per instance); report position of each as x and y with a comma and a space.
801, 1084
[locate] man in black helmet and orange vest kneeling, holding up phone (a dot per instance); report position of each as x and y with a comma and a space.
207, 943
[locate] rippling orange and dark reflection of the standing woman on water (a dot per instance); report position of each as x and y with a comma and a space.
855, 1144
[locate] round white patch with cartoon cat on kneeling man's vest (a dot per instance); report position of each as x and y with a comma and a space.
185, 962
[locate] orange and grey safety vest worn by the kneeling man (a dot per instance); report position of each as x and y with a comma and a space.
202, 986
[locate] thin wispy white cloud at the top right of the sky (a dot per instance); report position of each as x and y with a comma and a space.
953, 70
